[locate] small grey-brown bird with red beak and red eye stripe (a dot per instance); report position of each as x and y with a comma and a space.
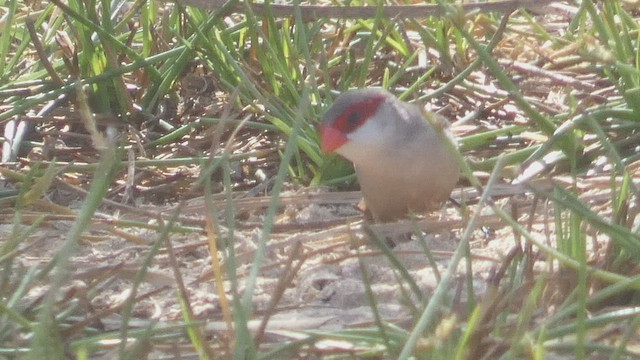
402, 164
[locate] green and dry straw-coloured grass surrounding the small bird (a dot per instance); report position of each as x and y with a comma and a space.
118, 66
